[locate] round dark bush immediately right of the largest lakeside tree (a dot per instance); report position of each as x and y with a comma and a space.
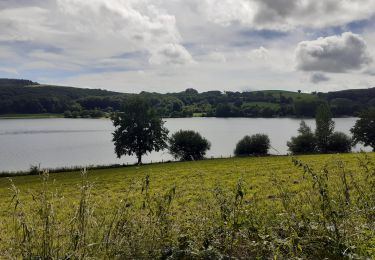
188, 145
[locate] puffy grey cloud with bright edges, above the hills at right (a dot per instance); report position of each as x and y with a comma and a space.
333, 54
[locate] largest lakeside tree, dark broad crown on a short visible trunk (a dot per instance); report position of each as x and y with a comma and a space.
139, 130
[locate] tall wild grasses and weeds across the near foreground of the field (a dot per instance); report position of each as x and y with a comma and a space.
332, 217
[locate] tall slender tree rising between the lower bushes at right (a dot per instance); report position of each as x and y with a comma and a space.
324, 127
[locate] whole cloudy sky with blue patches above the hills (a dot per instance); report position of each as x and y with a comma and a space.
171, 45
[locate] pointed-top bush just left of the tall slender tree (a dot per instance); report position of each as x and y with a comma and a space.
305, 142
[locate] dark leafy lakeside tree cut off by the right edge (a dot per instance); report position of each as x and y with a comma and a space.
364, 129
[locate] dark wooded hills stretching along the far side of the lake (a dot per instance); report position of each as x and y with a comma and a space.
19, 96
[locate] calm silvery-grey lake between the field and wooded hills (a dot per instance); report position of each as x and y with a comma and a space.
82, 142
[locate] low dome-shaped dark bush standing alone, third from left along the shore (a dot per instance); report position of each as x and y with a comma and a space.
257, 144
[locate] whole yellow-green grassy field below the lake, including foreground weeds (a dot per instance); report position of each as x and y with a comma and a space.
277, 207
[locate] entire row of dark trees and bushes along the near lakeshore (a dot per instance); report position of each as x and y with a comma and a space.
140, 130
